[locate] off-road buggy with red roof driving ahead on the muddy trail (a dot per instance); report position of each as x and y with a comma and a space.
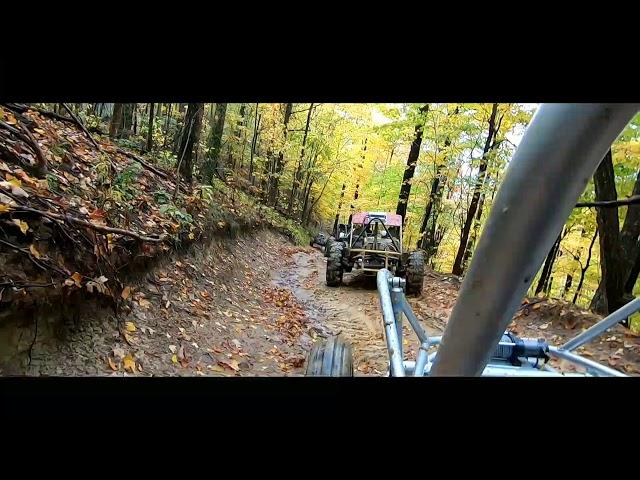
373, 241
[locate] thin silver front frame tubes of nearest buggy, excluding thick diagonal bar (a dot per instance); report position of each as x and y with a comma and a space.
394, 305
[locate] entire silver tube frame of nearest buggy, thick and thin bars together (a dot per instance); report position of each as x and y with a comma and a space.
561, 149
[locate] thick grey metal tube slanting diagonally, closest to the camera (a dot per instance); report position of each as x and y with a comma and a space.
561, 149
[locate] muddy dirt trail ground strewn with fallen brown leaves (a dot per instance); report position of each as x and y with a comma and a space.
253, 306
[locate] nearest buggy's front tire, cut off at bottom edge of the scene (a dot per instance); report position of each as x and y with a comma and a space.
330, 358
